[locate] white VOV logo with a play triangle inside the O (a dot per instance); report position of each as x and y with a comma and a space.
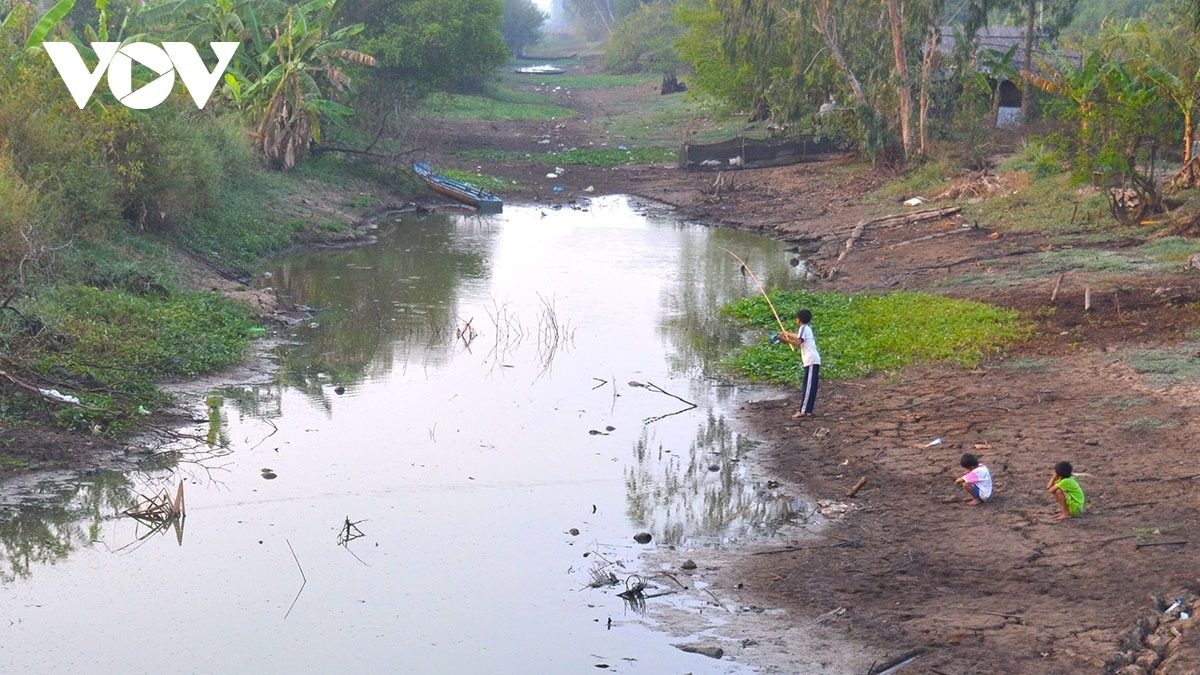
118, 62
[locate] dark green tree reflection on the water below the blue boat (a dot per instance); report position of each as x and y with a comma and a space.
374, 304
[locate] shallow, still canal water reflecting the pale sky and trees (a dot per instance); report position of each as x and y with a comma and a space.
503, 381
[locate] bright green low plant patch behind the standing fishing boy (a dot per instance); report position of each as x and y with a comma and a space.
865, 334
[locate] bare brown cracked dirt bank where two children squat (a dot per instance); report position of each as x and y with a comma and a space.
910, 569
